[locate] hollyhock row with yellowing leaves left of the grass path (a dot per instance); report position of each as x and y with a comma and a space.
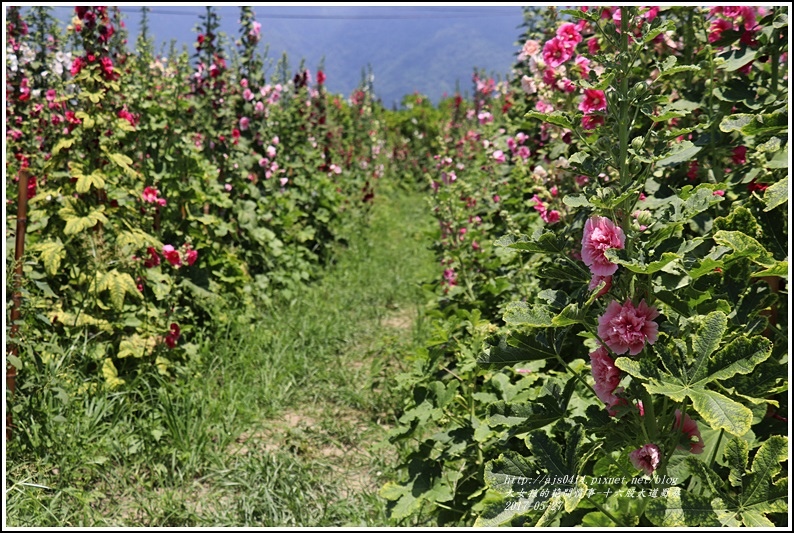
161, 189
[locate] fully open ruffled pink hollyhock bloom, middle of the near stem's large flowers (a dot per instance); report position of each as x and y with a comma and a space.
625, 328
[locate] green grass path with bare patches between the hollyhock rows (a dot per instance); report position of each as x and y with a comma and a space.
278, 423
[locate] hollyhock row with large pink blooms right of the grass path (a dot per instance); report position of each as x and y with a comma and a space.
611, 300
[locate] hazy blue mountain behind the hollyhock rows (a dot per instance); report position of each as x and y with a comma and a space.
418, 48
